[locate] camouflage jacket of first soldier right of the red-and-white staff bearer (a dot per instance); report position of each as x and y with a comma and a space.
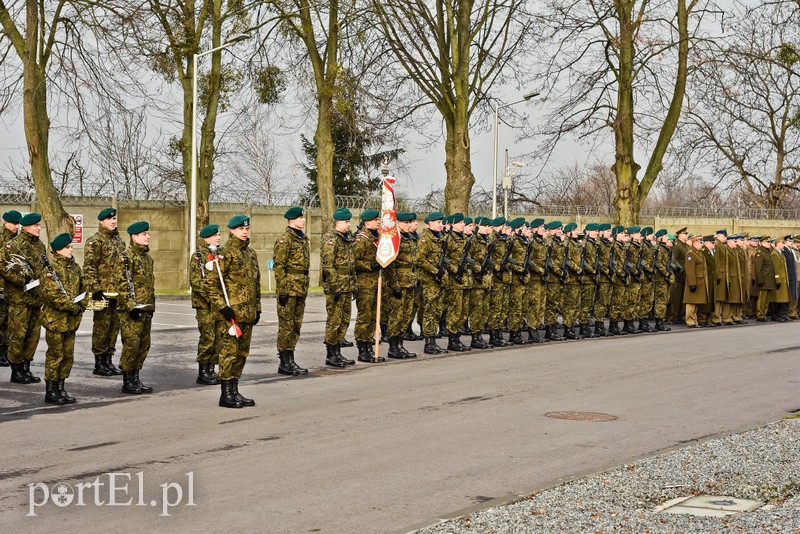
292, 256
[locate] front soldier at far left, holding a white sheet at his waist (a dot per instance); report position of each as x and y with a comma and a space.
22, 261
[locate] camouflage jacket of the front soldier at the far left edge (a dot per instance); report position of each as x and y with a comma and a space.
21, 263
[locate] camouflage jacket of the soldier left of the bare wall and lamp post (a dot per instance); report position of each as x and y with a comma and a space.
136, 271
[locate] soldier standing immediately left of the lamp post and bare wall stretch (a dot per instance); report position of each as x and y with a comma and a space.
136, 304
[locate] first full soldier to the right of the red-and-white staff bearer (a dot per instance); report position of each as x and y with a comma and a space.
292, 257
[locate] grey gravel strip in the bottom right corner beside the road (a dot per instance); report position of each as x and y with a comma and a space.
761, 464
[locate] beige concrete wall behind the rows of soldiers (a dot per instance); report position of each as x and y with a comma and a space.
169, 229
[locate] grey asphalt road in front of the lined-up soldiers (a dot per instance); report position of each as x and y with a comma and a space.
376, 448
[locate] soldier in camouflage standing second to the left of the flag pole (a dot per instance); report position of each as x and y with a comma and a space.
338, 283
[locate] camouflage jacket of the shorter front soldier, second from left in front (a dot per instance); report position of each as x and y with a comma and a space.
59, 313
